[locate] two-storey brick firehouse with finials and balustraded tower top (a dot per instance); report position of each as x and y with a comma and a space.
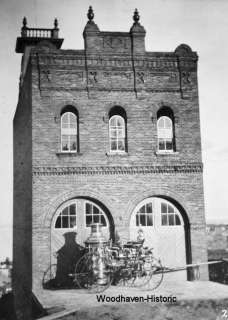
108, 134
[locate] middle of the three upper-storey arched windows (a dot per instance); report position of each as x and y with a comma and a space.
117, 134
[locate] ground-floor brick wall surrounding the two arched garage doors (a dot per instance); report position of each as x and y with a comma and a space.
120, 194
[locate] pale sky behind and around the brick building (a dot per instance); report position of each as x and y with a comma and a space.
202, 24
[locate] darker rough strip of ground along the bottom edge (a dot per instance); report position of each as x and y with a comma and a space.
186, 310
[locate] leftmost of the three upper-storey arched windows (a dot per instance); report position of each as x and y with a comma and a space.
69, 132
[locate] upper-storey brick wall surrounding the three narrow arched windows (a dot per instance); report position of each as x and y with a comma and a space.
93, 129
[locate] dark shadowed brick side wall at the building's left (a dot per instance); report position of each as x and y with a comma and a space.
22, 206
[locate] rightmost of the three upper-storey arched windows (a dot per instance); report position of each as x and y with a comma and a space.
165, 134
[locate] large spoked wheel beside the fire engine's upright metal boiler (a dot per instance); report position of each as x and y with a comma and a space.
92, 273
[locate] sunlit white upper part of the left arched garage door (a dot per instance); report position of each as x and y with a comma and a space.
76, 215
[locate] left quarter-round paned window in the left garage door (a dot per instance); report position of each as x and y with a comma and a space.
67, 218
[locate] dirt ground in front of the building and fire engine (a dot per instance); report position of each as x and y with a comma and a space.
202, 300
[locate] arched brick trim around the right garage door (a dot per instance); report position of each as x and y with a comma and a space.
179, 202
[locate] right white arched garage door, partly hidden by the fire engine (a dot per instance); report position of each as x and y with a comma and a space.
163, 228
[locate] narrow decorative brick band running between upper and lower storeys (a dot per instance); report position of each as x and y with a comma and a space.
117, 170
